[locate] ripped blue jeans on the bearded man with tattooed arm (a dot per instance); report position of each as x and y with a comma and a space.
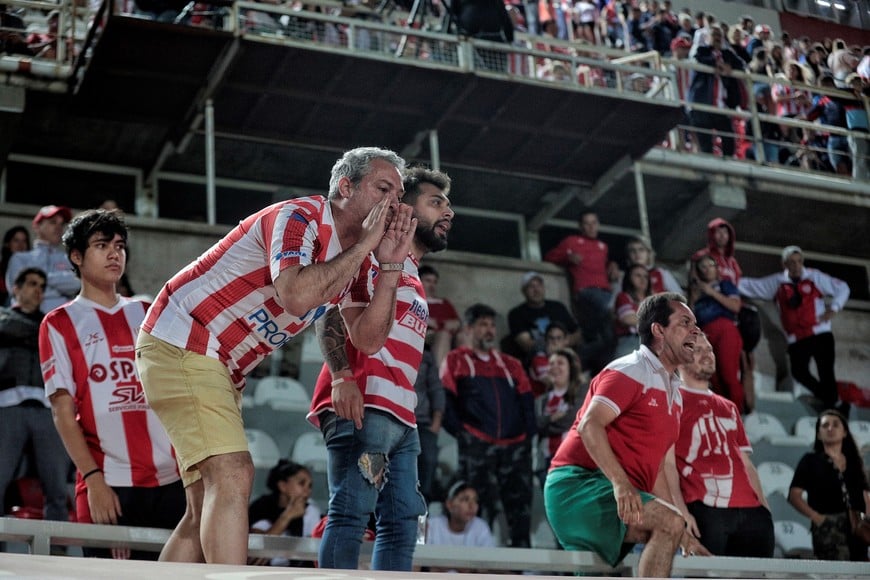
373, 469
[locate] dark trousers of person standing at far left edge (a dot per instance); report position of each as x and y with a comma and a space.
23, 423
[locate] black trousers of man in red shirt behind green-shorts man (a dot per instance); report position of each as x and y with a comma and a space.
745, 532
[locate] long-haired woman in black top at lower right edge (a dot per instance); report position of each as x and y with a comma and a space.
833, 478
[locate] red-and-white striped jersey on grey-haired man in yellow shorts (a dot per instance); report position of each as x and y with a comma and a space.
224, 304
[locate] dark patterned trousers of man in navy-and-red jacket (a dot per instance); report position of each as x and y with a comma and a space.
500, 471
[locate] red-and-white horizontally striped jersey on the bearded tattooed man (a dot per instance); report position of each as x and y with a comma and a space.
387, 377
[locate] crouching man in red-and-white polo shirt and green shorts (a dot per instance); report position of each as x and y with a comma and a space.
603, 482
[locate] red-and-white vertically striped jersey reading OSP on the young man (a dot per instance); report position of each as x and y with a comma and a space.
89, 351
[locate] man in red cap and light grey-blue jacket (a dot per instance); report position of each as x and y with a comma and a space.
49, 255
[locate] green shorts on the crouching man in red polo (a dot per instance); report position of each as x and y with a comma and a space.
582, 511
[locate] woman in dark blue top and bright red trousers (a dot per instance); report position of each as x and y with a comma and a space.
716, 302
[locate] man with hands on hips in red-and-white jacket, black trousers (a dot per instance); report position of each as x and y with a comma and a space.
800, 294
